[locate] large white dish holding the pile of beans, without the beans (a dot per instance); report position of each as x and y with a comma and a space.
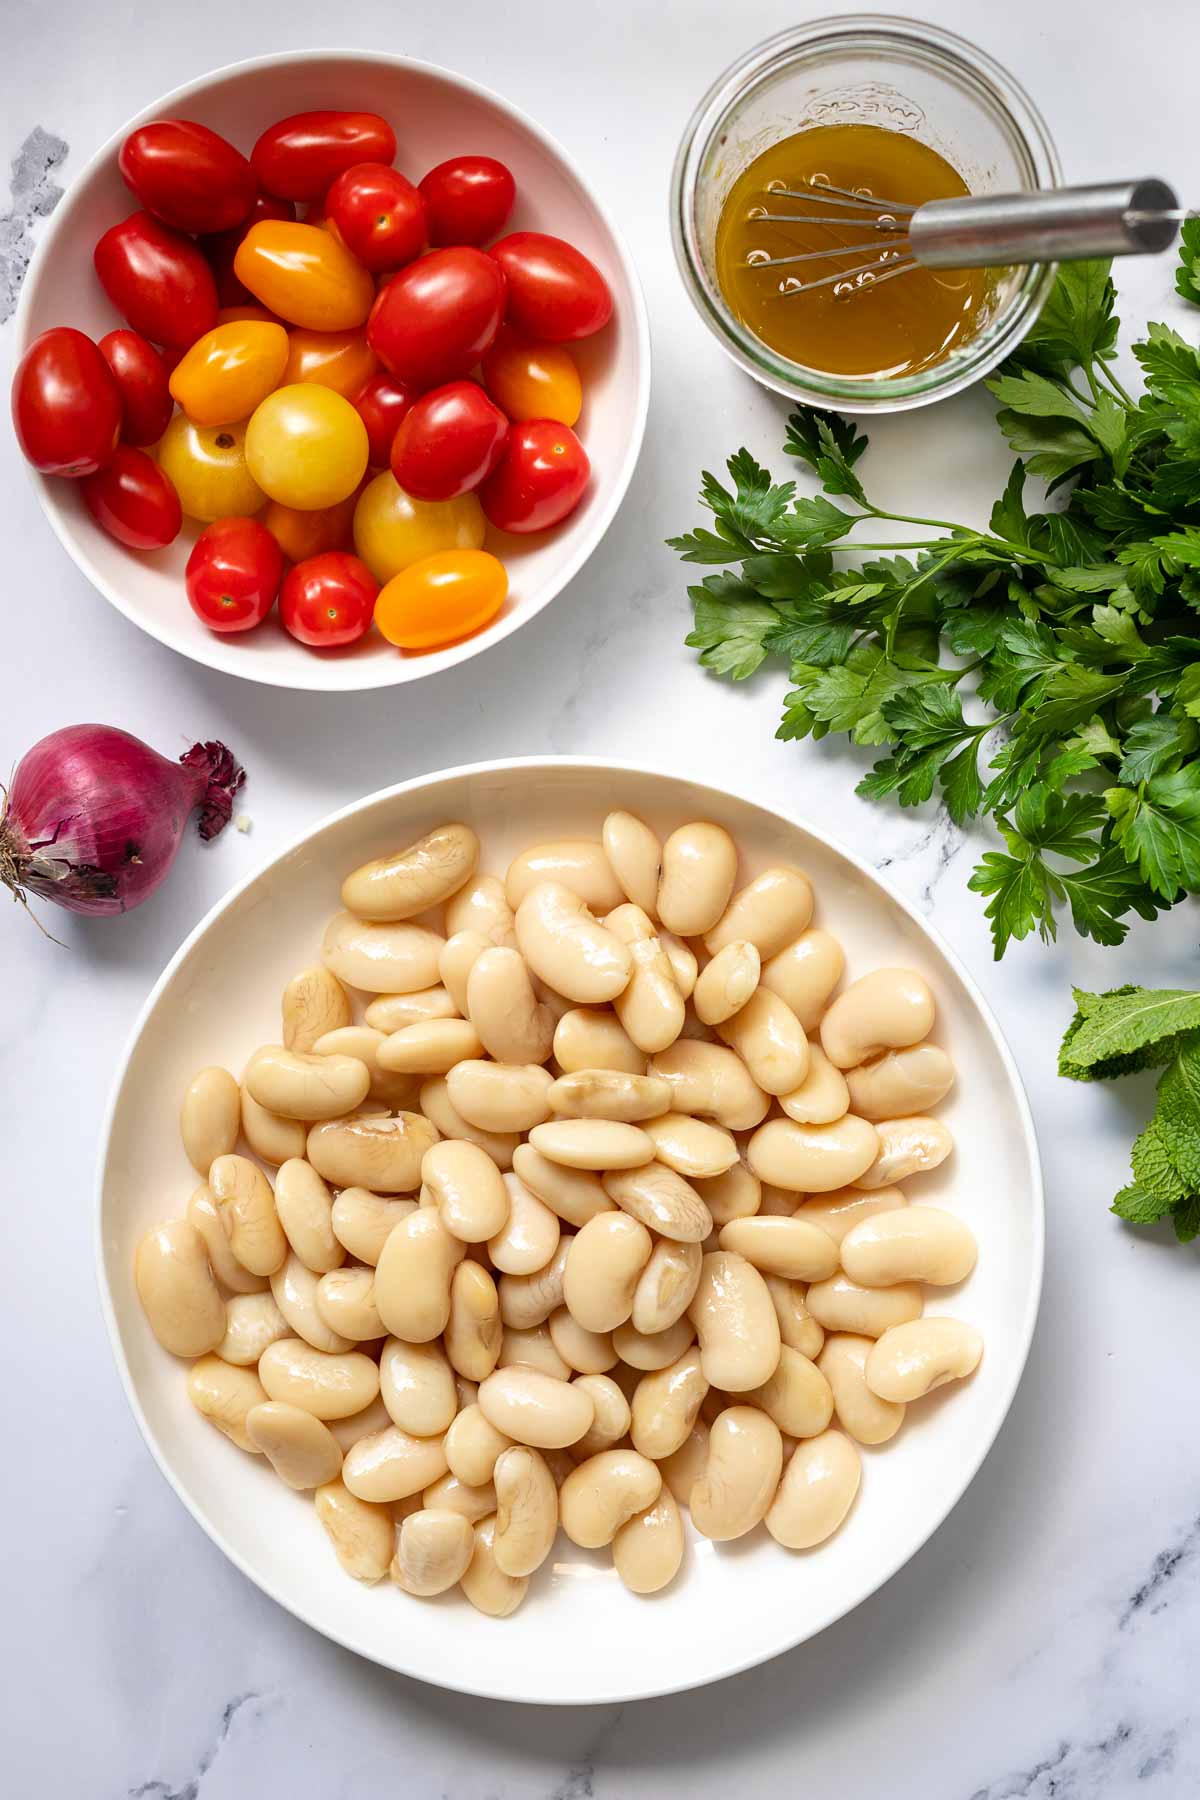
578, 1637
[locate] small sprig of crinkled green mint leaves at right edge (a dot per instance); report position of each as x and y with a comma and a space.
1147, 1029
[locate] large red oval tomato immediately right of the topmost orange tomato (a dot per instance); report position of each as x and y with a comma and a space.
438, 316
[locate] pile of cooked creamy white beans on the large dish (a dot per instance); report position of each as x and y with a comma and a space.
578, 1225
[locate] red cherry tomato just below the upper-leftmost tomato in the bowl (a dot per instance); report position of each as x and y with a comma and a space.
159, 280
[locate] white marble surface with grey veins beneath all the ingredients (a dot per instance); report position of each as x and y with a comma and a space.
1043, 1644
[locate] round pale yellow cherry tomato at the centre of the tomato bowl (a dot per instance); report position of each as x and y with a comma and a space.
307, 447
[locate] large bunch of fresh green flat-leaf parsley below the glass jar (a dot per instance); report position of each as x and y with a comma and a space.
1077, 627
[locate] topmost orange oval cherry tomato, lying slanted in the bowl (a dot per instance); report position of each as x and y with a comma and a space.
305, 276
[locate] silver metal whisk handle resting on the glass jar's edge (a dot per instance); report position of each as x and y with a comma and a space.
1050, 226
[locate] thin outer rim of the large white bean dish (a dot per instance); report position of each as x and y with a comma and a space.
519, 766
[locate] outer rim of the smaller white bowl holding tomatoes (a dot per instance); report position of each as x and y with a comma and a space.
384, 672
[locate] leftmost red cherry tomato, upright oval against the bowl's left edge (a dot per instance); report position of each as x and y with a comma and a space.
66, 404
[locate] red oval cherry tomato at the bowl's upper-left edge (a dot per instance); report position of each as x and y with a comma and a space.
186, 175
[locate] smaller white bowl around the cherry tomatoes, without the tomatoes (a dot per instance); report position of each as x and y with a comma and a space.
436, 116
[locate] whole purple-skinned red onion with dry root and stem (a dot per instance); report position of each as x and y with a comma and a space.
94, 816
